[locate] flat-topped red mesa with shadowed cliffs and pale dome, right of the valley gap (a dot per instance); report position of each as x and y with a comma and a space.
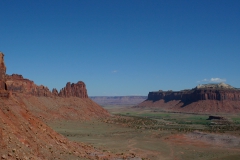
206, 98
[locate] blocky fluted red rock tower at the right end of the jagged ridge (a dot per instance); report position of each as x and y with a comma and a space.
74, 90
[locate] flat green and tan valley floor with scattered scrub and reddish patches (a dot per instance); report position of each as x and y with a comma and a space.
155, 135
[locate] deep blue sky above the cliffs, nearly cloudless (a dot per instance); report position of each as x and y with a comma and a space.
122, 47
